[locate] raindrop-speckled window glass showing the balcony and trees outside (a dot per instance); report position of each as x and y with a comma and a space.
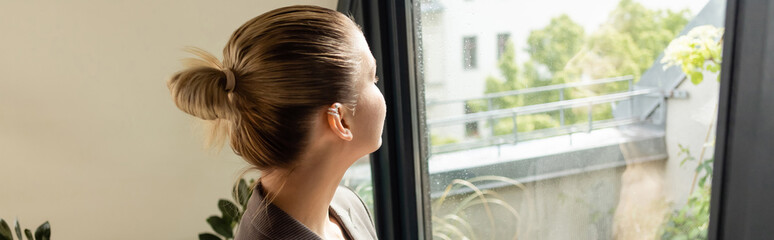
563, 119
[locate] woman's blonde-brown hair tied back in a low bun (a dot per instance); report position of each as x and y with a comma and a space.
288, 64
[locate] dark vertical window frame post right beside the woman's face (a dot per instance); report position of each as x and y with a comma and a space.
398, 179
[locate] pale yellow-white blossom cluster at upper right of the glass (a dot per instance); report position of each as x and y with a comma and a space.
696, 52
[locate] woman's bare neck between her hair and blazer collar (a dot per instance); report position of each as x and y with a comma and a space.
305, 191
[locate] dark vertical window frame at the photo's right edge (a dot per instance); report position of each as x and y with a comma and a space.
742, 188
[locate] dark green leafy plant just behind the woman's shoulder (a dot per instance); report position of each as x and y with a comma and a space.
230, 214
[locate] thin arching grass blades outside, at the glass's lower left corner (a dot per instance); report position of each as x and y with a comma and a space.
450, 221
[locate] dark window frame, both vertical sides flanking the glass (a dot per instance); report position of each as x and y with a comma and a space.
742, 189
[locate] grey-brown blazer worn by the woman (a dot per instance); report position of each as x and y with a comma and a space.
273, 223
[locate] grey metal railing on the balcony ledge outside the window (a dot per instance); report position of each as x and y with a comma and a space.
491, 114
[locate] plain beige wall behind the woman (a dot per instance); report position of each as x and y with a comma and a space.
89, 138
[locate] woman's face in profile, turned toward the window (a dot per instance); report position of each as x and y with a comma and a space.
367, 120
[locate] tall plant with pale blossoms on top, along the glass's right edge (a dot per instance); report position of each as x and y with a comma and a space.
698, 51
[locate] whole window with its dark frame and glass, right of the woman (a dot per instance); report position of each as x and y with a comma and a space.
581, 192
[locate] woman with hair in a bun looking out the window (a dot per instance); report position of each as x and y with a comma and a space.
295, 95
